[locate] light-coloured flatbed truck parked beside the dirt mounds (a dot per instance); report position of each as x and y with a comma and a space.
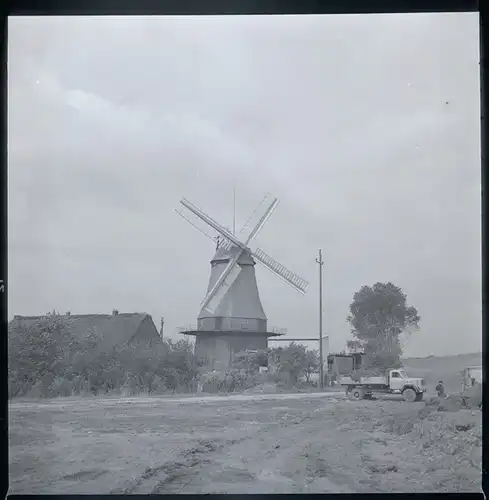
392, 382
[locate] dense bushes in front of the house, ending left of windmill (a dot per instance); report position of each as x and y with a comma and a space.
47, 359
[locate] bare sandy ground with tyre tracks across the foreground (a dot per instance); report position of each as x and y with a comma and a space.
280, 443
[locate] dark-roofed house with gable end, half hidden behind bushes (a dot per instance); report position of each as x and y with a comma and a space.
114, 329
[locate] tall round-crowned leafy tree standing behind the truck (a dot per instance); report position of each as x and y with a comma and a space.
379, 315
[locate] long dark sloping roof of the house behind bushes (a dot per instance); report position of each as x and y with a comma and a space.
116, 329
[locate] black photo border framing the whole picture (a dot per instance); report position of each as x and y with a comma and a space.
233, 7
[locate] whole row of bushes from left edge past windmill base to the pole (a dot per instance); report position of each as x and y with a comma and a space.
47, 360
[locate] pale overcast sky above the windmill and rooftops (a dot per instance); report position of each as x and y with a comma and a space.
366, 127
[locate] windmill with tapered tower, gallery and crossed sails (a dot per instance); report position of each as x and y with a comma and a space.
232, 318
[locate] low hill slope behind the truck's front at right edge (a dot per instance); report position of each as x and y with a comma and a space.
447, 368
